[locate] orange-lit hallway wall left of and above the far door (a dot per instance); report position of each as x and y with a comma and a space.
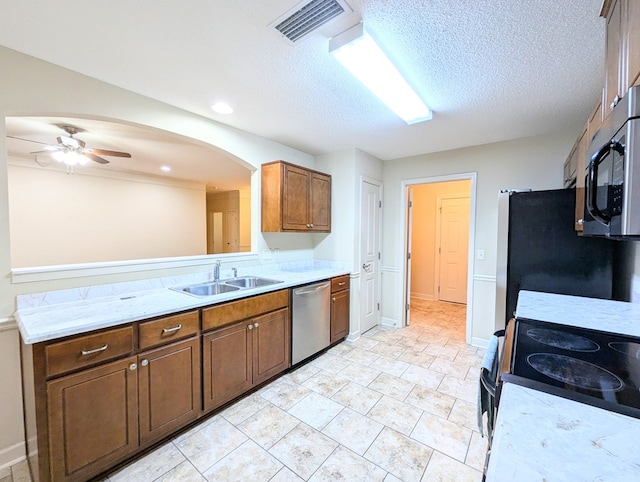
423, 239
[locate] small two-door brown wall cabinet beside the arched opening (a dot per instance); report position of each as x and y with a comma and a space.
295, 199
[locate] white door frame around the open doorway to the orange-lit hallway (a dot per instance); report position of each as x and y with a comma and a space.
403, 233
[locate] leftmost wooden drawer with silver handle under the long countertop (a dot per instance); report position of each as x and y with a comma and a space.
88, 350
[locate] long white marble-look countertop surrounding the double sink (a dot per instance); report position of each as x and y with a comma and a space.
56, 314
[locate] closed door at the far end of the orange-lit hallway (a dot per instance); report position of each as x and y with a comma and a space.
453, 249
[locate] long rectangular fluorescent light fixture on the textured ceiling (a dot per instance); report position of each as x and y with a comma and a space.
359, 53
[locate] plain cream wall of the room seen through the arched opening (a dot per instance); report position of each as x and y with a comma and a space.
56, 218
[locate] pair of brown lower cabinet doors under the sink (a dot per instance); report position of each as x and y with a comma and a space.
245, 354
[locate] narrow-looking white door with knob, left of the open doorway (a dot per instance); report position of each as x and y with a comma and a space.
370, 206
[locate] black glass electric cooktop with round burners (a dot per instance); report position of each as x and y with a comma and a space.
594, 367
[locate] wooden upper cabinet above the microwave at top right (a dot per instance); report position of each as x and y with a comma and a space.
622, 50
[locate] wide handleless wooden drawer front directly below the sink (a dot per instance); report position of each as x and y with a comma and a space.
239, 310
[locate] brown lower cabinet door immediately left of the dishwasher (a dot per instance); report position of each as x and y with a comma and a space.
272, 345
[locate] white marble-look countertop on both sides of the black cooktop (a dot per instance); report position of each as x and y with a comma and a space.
542, 437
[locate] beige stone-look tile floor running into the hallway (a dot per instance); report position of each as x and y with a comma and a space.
396, 405
